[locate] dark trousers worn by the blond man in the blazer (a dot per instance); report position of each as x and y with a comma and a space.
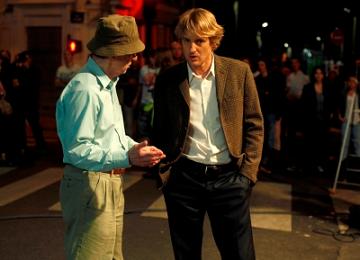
190, 193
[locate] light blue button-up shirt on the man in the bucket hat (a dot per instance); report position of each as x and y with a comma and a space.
90, 123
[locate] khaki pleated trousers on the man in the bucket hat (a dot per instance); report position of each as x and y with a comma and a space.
92, 206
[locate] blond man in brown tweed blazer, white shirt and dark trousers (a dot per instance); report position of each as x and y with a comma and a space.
208, 121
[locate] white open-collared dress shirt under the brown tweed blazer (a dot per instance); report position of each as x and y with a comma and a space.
205, 142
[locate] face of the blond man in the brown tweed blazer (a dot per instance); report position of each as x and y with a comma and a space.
197, 52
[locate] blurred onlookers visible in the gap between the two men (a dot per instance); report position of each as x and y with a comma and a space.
136, 88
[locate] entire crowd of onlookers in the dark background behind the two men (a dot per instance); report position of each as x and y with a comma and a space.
300, 110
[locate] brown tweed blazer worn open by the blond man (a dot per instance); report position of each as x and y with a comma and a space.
239, 109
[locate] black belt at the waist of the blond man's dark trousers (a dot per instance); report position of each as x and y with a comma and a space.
205, 169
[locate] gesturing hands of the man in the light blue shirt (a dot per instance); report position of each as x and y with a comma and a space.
145, 156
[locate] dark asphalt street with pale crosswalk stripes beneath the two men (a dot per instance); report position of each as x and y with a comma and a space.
293, 216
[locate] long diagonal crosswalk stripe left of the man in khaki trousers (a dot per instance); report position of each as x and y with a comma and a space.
24, 187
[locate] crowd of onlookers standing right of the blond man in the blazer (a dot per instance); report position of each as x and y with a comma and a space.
304, 115
